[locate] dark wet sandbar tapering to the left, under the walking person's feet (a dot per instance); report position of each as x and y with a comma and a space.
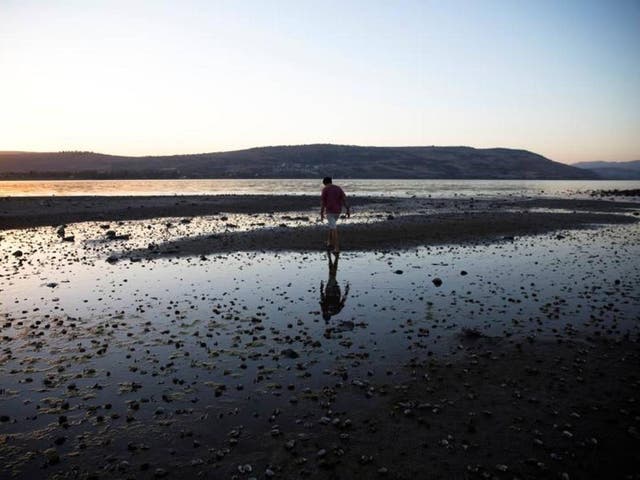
391, 234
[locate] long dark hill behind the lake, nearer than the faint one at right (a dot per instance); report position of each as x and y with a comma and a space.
296, 161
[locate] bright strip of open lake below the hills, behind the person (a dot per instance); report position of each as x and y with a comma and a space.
392, 188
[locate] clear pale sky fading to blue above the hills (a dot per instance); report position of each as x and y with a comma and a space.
560, 78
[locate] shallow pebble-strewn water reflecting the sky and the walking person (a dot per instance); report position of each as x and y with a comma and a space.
178, 339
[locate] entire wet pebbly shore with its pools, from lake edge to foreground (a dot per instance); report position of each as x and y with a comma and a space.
206, 357
